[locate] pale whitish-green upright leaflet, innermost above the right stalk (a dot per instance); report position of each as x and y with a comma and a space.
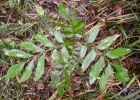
93, 35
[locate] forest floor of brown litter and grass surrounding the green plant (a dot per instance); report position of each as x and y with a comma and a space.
112, 16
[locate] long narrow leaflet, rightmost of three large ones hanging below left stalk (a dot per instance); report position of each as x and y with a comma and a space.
40, 67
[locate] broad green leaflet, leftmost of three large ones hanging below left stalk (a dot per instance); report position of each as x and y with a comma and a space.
15, 70
